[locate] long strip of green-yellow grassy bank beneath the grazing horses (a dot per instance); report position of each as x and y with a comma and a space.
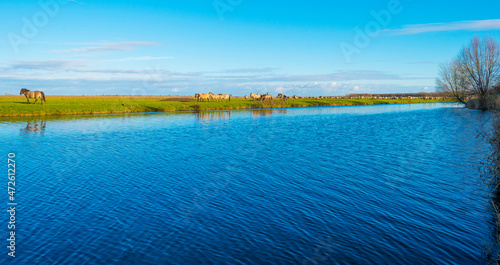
68, 105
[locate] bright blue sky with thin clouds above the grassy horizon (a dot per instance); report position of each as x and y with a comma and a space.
310, 48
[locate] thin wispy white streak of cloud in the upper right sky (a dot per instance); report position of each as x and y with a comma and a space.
491, 24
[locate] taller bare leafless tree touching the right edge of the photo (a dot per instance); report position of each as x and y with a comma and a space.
481, 61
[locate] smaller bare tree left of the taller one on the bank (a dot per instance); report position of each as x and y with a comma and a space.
453, 78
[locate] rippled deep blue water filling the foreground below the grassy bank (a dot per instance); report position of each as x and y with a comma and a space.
394, 184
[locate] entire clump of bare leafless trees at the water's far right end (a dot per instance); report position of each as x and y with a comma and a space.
474, 73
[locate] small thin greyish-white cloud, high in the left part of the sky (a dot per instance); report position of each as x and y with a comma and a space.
93, 48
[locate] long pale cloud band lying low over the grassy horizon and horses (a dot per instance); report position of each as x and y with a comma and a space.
54, 74
